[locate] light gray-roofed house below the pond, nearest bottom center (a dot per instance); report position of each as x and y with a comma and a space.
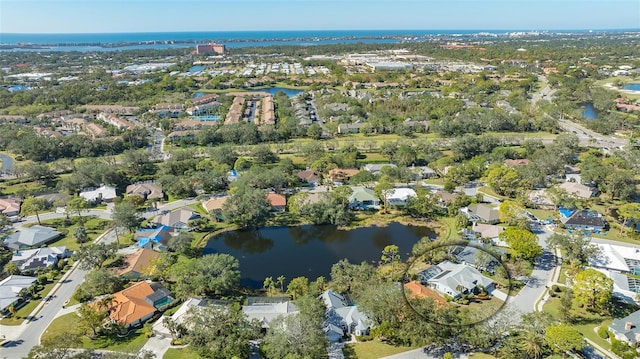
343, 317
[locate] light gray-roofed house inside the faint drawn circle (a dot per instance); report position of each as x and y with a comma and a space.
457, 279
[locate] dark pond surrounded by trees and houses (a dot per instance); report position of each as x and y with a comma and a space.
309, 250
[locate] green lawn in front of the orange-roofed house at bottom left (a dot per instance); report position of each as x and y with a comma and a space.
68, 323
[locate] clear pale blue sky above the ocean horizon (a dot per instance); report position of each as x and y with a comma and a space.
106, 16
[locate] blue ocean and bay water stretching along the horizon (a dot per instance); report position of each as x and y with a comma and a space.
232, 39
